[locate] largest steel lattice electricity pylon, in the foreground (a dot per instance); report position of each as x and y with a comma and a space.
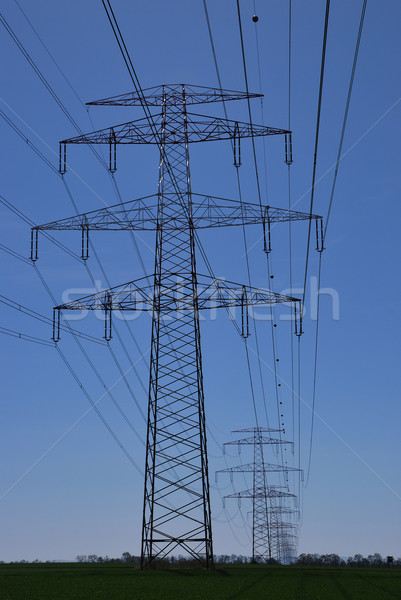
176, 509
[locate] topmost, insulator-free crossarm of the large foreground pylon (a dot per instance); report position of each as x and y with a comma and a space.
172, 95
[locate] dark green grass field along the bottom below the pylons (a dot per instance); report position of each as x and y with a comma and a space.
122, 582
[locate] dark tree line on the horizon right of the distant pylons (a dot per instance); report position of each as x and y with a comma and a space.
333, 560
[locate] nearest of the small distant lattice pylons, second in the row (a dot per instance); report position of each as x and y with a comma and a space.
268, 529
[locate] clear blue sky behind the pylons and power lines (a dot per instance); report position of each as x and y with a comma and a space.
81, 494
